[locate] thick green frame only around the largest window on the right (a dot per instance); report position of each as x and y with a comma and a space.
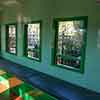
54, 50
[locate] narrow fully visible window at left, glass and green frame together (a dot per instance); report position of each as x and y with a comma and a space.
11, 30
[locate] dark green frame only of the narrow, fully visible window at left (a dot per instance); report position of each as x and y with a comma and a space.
7, 35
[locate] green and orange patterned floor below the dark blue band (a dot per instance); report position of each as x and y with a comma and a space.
11, 88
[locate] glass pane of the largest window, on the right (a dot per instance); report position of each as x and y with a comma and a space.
70, 41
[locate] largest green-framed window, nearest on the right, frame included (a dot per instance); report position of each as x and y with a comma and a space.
70, 42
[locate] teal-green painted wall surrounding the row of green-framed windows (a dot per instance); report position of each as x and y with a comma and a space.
46, 10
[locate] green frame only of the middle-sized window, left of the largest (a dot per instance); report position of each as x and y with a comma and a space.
25, 40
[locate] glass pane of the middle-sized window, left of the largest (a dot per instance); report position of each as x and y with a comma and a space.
33, 40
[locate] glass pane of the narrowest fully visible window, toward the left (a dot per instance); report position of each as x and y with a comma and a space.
12, 39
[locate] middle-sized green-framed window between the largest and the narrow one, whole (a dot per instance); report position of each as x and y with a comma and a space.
32, 38
